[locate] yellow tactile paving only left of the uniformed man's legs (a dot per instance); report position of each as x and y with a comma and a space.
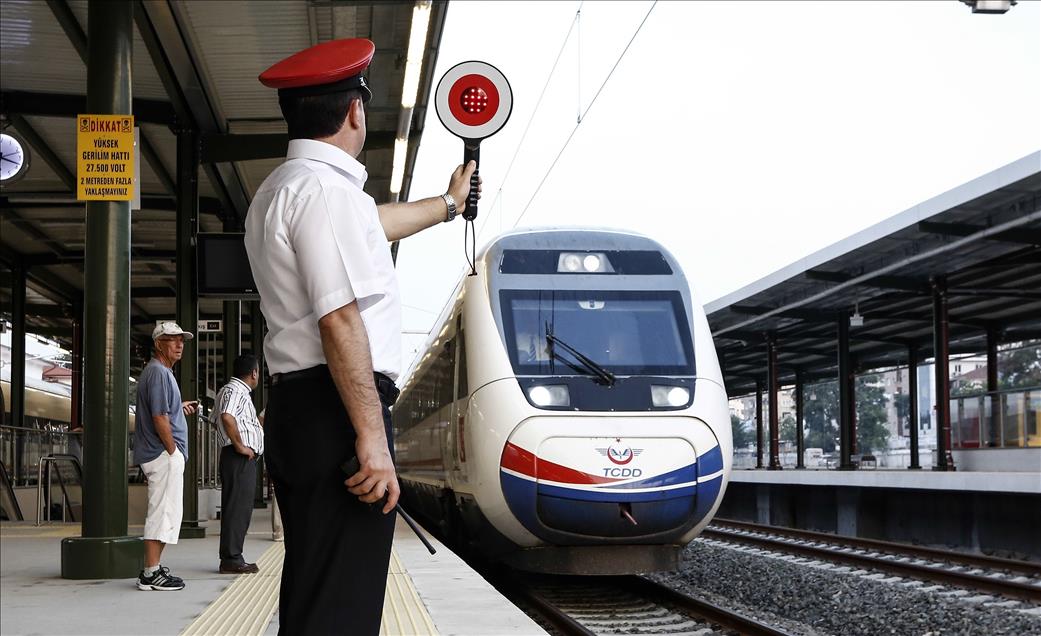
247, 605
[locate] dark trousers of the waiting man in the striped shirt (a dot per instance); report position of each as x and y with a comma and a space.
239, 482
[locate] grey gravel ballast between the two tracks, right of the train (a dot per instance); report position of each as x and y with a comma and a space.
816, 599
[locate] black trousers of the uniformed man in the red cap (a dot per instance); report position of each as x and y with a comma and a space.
338, 549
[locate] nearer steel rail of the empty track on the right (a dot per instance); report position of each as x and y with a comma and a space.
1013, 590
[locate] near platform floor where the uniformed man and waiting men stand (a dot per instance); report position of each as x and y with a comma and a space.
427, 595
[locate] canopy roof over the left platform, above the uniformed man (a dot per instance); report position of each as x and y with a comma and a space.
195, 66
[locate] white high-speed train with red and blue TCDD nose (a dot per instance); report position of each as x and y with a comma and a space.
568, 414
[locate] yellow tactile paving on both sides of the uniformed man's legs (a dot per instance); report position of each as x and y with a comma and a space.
246, 607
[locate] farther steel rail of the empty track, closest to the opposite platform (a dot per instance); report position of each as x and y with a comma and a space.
1033, 570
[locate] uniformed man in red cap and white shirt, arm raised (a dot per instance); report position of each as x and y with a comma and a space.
319, 249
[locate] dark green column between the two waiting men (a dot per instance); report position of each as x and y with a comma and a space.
188, 316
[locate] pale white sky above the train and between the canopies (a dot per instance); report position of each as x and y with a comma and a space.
741, 136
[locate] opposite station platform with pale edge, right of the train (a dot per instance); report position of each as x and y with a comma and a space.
991, 513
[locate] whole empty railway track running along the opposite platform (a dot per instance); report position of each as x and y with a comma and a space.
1013, 579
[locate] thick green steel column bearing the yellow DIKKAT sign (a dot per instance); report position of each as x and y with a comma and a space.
105, 551
